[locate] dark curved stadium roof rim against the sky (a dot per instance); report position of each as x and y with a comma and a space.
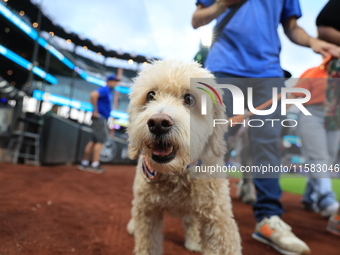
47, 24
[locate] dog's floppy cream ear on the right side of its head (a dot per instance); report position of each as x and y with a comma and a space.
217, 142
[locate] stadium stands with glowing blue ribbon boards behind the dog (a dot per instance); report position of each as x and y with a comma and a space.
74, 75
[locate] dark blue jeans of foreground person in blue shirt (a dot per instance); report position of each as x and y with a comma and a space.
264, 141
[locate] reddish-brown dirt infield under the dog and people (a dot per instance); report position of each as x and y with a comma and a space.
61, 210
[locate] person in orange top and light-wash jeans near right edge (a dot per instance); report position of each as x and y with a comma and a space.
321, 150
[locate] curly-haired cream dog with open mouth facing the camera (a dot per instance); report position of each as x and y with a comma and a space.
168, 133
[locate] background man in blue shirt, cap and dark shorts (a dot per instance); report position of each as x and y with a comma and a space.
101, 100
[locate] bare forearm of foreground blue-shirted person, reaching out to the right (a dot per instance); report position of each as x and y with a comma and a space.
299, 36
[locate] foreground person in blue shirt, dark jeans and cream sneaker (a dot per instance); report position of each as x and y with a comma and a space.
249, 47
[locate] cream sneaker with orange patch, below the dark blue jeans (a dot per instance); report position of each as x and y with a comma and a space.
278, 234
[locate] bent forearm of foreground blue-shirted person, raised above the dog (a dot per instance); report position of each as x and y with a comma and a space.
204, 15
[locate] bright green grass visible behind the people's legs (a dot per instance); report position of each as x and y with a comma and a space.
296, 185
